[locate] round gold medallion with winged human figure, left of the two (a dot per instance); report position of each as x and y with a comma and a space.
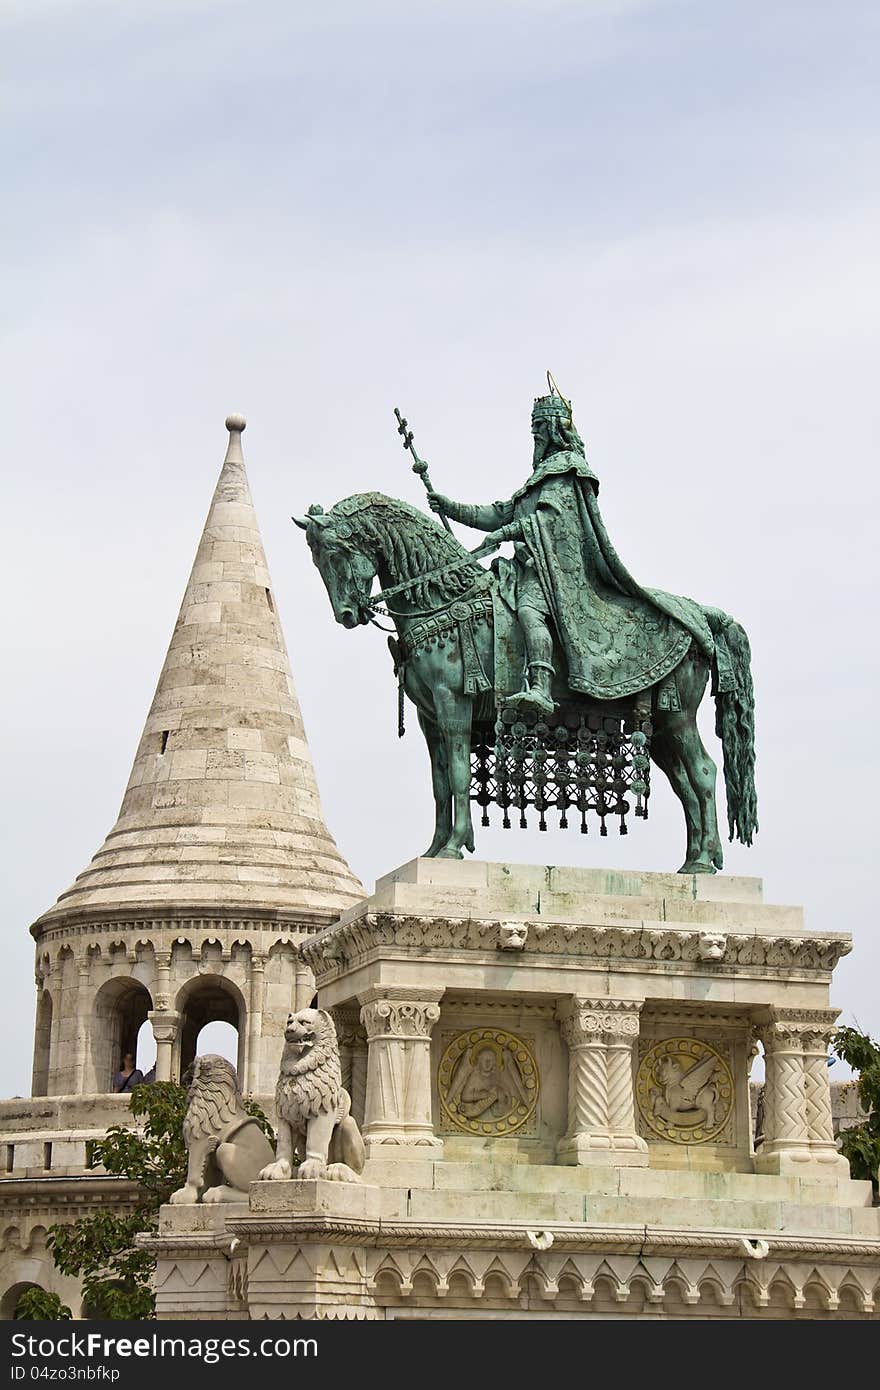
489, 1082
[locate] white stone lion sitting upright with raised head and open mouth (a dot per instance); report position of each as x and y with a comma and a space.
313, 1107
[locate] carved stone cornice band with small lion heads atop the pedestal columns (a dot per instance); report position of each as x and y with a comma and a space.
718, 951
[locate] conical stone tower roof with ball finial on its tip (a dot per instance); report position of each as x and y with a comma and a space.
222, 808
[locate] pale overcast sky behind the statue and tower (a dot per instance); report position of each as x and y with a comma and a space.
315, 213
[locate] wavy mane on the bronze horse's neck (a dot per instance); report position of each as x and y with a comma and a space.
411, 543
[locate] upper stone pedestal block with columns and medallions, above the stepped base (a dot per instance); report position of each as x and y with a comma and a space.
585, 1017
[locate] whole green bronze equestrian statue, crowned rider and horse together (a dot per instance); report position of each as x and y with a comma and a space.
548, 679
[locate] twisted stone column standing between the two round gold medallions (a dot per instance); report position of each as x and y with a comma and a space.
601, 1036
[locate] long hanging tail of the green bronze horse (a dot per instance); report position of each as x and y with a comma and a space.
735, 722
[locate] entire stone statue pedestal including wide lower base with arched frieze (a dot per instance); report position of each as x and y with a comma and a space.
580, 1043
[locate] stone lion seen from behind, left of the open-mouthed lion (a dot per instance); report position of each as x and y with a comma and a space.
226, 1147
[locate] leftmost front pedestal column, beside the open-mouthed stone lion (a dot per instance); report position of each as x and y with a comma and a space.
398, 1121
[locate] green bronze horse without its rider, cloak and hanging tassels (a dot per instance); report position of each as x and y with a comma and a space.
425, 572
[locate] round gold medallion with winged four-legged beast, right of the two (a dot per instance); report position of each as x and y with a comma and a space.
685, 1090
